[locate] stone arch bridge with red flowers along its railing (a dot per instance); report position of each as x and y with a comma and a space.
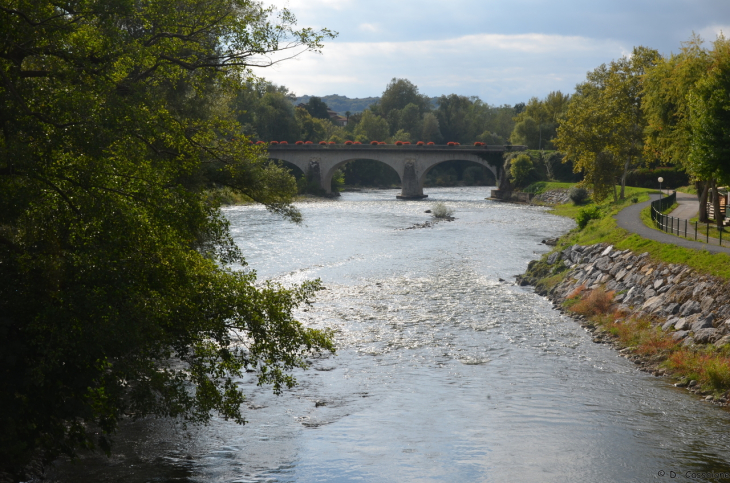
411, 162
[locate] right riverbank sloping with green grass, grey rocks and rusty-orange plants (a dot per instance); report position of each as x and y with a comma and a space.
671, 318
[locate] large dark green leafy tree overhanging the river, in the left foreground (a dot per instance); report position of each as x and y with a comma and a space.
117, 299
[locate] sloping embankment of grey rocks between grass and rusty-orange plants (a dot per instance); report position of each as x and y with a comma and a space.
692, 307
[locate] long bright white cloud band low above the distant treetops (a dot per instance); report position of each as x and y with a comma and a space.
499, 68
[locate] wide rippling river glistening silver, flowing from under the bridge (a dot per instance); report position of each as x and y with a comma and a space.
443, 372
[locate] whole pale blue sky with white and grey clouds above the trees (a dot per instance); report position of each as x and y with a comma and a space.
501, 51
